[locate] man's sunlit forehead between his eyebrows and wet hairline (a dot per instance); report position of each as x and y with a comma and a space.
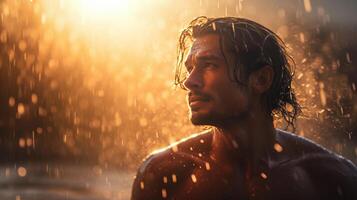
204, 46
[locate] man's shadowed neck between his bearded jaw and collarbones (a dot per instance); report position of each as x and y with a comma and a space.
246, 140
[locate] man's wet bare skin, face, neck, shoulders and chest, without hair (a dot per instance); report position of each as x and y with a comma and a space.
243, 157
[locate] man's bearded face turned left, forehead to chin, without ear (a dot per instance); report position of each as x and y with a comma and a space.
213, 98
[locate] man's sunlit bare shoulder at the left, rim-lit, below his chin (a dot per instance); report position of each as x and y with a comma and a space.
165, 169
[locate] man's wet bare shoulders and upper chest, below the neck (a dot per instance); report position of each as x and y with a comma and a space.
294, 168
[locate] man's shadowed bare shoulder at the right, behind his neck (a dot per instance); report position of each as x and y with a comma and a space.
314, 170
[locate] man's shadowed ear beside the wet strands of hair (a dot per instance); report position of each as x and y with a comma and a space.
261, 79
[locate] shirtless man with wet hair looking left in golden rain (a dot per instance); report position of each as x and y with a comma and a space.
238, 76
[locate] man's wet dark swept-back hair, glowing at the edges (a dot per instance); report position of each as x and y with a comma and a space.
254, 47
